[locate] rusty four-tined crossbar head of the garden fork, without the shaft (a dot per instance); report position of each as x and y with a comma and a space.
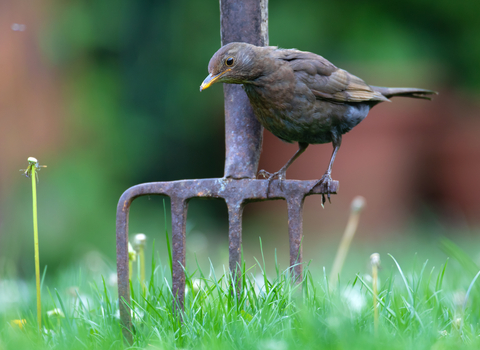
236, 193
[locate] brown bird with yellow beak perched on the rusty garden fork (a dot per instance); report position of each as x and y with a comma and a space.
299, 96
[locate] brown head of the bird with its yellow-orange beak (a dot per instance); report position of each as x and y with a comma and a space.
234, 63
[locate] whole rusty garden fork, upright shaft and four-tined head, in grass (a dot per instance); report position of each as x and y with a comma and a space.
240, 21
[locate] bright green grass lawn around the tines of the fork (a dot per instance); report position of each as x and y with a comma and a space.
423, 308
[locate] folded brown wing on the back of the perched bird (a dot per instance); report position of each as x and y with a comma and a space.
326, 81
